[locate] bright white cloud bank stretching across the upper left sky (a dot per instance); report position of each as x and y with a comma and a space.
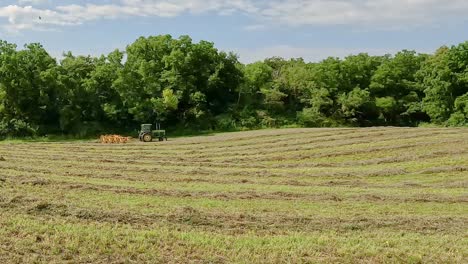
21, 16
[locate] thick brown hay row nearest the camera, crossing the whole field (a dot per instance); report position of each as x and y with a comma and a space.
223, 222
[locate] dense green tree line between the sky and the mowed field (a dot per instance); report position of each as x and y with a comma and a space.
194, 86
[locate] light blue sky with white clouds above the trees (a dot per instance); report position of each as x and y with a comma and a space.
254, 29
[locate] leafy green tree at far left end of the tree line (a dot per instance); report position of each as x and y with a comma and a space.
28, 86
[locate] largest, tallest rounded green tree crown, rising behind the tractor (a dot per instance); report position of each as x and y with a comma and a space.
176, 81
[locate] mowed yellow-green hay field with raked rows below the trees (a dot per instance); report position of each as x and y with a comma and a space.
372, 195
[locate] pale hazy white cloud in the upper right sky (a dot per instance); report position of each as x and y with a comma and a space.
368, 13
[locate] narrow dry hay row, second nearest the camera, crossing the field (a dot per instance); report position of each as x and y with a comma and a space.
376, 197
